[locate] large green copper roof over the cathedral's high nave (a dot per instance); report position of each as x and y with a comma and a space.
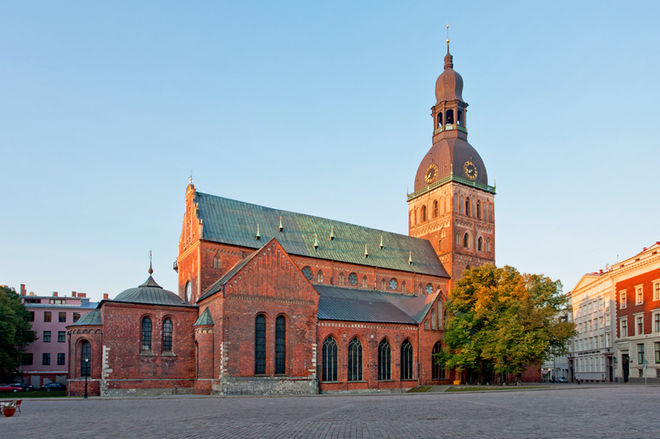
234, 222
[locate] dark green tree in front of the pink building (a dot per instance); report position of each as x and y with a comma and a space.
15, 331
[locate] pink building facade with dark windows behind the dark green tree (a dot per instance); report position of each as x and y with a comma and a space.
45, 360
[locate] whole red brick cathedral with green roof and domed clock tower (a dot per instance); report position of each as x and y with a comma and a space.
276, 302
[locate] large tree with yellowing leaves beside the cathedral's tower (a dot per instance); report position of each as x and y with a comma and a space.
502, 320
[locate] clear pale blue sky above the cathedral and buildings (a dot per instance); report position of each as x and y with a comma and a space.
320, 108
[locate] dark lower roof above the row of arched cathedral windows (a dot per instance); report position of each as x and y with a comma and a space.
354, 305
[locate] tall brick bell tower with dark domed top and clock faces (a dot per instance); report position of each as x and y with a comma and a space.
453, 205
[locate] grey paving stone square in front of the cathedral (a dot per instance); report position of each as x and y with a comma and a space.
605, 411
